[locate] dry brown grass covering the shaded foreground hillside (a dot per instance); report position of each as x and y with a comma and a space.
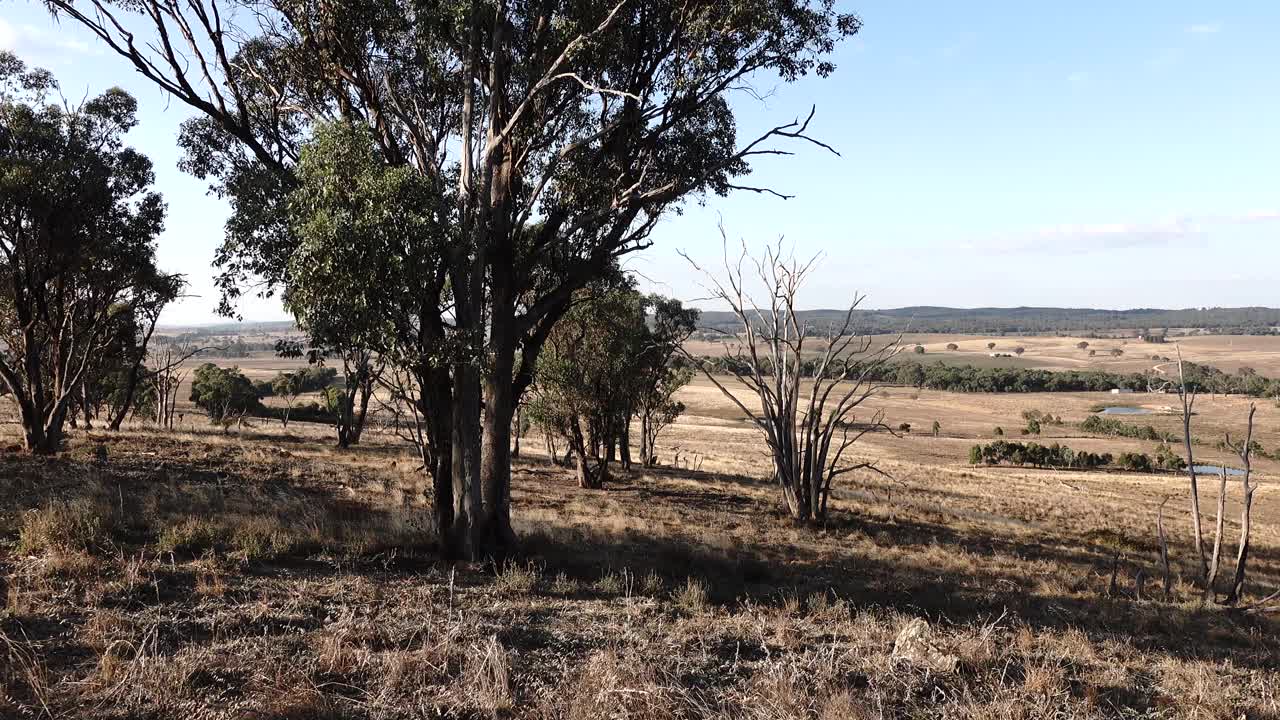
267, 576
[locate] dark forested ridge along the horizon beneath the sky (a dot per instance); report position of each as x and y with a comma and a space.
1076, 321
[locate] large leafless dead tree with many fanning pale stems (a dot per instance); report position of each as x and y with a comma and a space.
808, 430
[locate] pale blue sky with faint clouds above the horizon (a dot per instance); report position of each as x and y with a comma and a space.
991, 154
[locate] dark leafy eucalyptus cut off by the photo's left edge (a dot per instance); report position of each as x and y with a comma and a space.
77, 243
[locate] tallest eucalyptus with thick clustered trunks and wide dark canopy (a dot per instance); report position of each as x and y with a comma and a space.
556, 133
